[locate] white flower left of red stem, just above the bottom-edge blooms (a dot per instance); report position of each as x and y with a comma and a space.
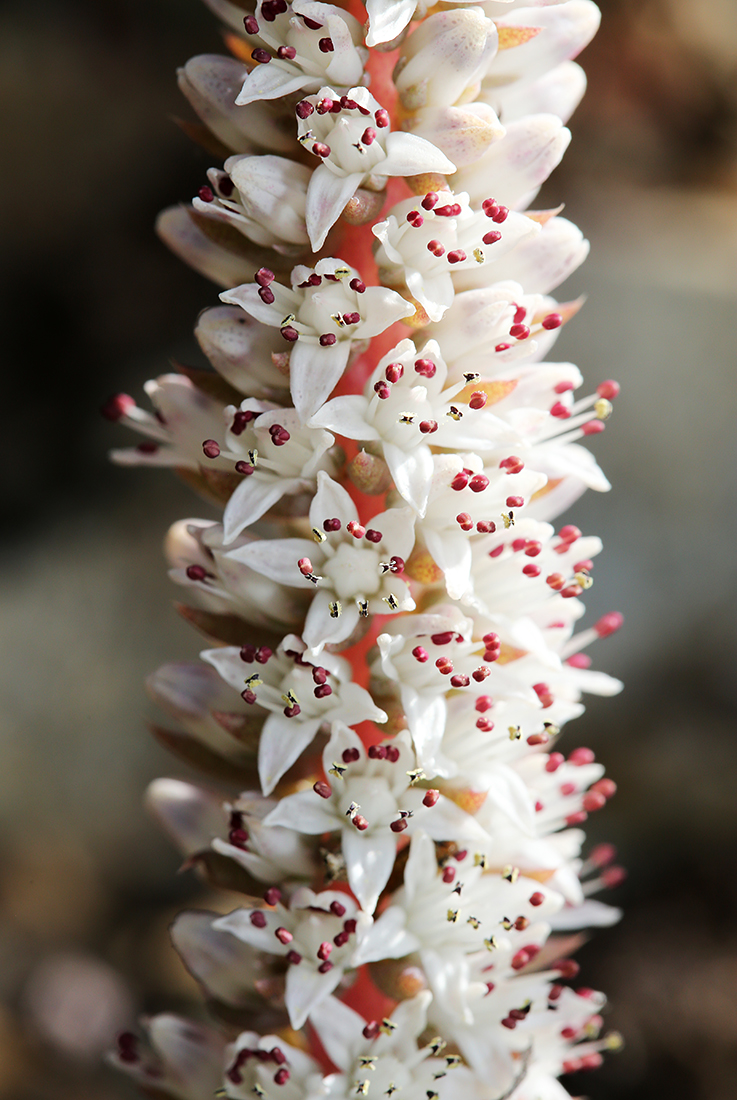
321, 936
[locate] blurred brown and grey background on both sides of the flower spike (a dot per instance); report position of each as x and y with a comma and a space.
92, 304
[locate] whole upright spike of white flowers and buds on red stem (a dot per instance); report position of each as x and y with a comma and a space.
390, 611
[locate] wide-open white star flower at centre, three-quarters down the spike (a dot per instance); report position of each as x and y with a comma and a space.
372, 800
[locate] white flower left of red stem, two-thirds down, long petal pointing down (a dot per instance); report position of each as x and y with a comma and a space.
300, 696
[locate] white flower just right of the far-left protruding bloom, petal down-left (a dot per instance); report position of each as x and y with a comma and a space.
278, 457
